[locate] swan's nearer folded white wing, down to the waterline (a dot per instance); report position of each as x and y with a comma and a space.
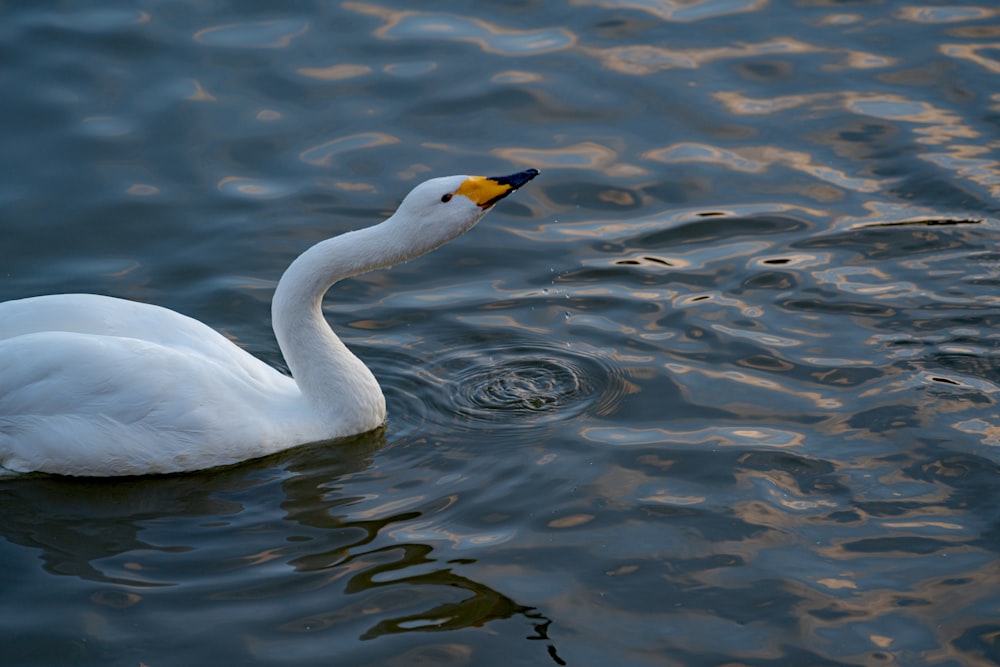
87, 404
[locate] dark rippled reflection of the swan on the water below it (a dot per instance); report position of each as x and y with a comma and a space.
283, 529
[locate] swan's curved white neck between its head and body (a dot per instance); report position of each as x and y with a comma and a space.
338, 387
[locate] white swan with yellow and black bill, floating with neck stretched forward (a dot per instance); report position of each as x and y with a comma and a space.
97, 386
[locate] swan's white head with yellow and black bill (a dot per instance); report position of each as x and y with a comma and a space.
442, 208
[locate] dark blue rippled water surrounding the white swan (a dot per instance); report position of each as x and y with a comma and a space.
719, 387
